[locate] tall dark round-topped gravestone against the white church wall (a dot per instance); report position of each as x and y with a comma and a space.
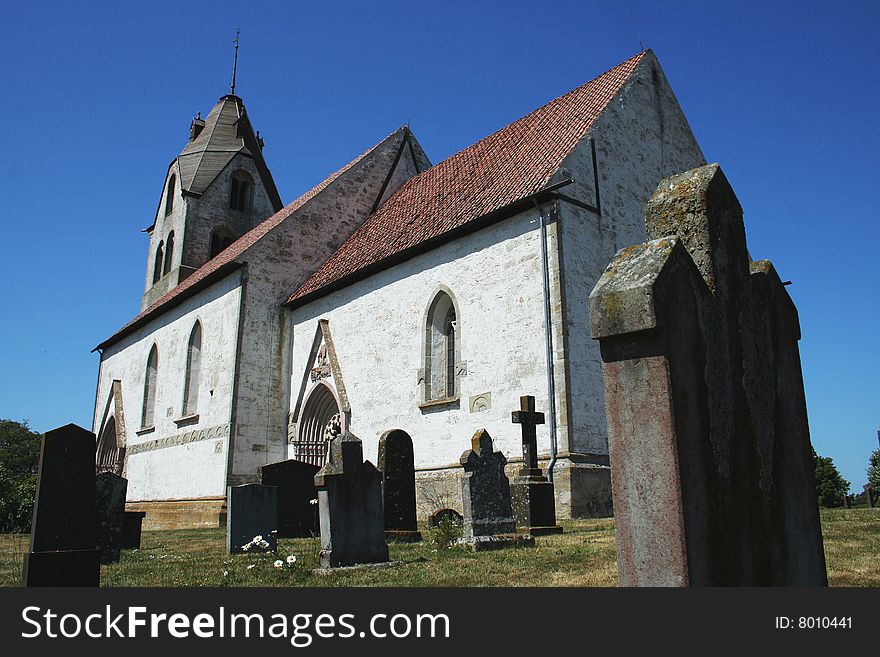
397, 465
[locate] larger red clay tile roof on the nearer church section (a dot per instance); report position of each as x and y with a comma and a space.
509, 165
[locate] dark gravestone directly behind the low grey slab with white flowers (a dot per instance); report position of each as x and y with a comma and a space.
295, 481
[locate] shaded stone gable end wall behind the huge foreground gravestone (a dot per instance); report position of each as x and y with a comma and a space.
642, 137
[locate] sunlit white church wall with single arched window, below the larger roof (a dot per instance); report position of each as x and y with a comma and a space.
378, 329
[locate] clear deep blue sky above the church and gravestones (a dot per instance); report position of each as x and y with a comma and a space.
99, 98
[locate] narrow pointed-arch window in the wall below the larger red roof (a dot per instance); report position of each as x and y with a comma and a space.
441, 348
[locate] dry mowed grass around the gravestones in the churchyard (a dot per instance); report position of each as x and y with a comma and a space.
582, 556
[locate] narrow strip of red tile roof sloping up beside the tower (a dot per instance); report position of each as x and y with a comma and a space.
237, 248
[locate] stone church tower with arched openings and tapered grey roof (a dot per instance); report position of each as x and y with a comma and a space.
215, 191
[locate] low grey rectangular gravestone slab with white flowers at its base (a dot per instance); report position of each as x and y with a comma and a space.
252, 510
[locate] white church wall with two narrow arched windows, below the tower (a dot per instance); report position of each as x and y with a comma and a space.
177, 460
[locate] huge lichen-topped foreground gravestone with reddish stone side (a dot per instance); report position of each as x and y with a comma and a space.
712, 474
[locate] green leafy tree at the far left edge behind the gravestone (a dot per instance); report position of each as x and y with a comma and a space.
19, 458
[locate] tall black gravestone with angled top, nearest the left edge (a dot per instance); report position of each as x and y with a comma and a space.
64, 540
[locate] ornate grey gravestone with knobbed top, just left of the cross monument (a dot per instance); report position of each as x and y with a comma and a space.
485, 490
